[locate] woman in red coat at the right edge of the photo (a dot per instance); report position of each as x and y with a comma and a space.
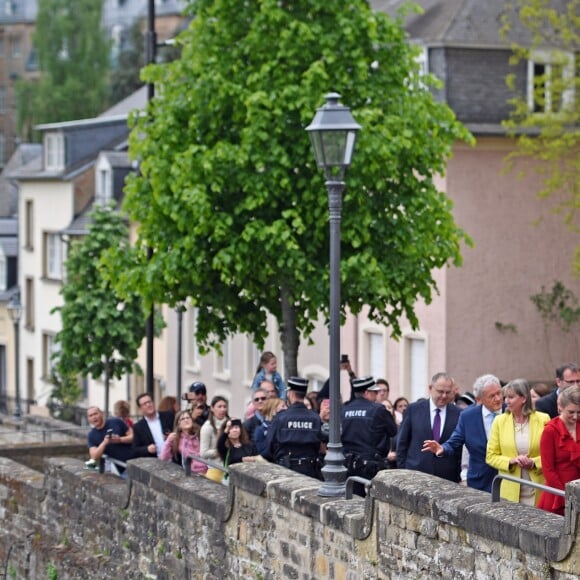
560, 449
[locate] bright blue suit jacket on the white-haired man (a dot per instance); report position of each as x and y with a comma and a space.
470, 431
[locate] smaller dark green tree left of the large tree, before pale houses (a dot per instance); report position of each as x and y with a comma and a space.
101, 332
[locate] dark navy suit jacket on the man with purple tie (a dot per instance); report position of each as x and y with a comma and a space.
415, 429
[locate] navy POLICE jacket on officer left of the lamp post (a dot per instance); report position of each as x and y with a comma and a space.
294, 432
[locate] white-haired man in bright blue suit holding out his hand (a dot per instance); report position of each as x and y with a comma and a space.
473, 430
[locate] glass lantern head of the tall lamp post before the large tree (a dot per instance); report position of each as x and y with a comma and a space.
333, 133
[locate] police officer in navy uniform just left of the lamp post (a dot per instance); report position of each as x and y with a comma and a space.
294, 436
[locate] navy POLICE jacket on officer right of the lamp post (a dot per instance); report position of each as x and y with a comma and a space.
367, 428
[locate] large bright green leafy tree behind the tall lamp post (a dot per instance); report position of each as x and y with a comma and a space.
229, 198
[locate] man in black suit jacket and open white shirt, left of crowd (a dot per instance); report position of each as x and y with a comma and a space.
150, 432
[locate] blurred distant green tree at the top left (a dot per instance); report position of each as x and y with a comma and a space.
73, 57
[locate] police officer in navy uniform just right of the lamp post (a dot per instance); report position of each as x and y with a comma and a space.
367, 428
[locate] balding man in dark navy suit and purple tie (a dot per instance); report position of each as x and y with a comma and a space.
434, 418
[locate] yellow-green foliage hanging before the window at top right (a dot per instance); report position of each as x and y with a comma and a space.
548, 133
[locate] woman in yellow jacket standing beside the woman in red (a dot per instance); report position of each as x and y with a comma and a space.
514, 443
